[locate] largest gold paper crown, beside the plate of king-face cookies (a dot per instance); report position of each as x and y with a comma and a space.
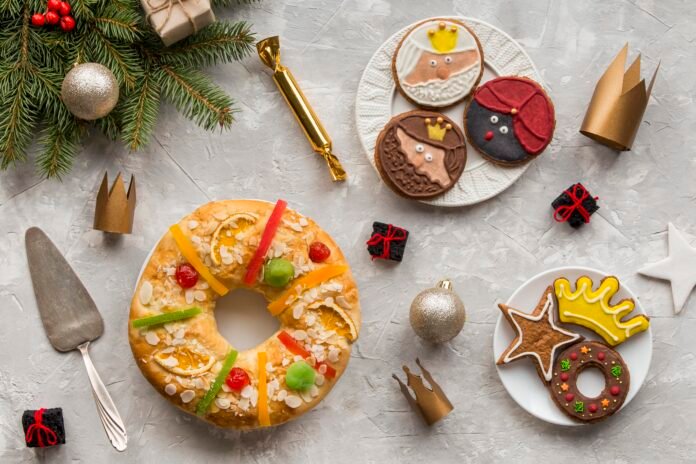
618, 104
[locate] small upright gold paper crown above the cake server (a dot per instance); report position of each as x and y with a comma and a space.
115, 208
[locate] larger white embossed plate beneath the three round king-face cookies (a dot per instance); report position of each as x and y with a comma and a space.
377, 101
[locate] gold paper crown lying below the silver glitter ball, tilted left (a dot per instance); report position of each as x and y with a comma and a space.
431, 402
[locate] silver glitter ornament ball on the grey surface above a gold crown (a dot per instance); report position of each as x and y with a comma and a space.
437, 314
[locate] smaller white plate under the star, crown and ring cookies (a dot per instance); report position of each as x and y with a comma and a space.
520, 377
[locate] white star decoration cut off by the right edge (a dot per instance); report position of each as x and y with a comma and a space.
679, 268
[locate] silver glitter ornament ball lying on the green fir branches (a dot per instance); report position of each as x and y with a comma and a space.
90, 91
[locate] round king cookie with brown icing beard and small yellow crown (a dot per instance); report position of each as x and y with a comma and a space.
420, 154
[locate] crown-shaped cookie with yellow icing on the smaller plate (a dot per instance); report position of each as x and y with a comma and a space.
593, 310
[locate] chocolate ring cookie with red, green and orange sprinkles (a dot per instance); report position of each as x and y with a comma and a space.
571, 363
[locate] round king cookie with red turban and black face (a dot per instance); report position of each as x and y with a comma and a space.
510, 120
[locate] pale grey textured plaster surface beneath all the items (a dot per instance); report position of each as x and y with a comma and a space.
488, 249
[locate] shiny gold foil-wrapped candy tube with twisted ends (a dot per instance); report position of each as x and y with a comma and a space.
269, 52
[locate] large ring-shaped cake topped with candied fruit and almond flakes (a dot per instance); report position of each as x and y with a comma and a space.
272, 250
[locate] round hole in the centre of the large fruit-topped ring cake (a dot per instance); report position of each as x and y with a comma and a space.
243, 319
